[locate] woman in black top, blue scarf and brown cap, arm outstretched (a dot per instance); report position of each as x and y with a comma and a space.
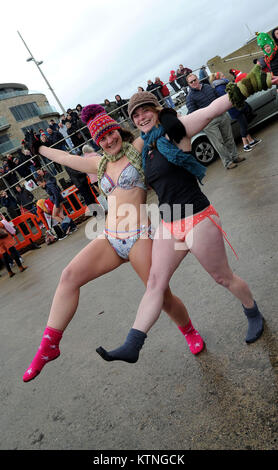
173, 173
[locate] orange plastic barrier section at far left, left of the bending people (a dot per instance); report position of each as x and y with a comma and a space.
25, 225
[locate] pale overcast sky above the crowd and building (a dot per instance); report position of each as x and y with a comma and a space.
92, 50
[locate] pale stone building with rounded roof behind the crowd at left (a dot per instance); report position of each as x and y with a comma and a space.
21, 109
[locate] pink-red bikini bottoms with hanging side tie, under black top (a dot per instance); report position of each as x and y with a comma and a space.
181, 228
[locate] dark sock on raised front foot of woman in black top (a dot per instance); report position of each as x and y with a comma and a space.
129, 351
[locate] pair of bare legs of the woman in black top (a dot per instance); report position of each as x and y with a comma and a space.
208, 247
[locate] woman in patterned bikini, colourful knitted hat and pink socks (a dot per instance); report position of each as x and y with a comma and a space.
121, 180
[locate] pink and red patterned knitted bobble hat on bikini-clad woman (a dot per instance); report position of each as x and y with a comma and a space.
98, 121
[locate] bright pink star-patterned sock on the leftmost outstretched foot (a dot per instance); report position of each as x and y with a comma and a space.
48, 351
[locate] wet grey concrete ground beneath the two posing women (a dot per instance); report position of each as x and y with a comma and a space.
224, 399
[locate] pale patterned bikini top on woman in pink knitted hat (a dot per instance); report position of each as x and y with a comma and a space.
129, 178
